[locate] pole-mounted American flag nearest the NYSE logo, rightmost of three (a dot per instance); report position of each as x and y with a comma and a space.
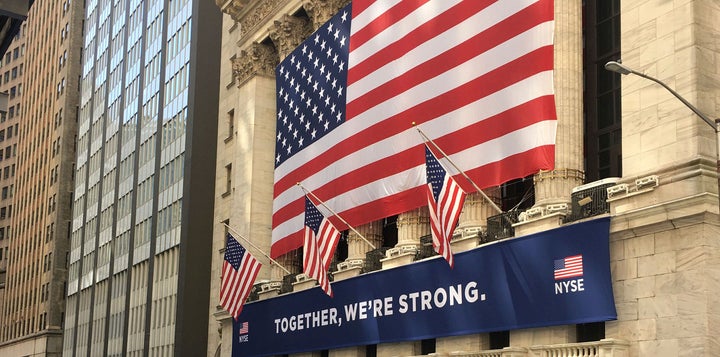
445, 200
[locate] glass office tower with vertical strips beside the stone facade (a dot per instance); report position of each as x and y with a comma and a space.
142, 200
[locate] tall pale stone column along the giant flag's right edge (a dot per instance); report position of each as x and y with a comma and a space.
553, 188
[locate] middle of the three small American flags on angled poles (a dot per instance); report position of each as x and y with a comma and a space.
321, 239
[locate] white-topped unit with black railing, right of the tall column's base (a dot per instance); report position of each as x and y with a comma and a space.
591, 199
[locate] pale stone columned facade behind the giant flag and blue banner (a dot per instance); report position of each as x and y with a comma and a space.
665, 236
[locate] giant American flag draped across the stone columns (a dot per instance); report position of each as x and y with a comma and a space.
476, 75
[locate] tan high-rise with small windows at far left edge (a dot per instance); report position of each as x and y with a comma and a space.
41, 76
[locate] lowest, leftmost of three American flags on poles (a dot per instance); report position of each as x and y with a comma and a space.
240, 269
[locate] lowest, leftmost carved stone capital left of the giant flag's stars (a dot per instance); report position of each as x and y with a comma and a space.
259, 59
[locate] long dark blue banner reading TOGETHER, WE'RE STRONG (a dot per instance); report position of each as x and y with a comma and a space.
556, 277
